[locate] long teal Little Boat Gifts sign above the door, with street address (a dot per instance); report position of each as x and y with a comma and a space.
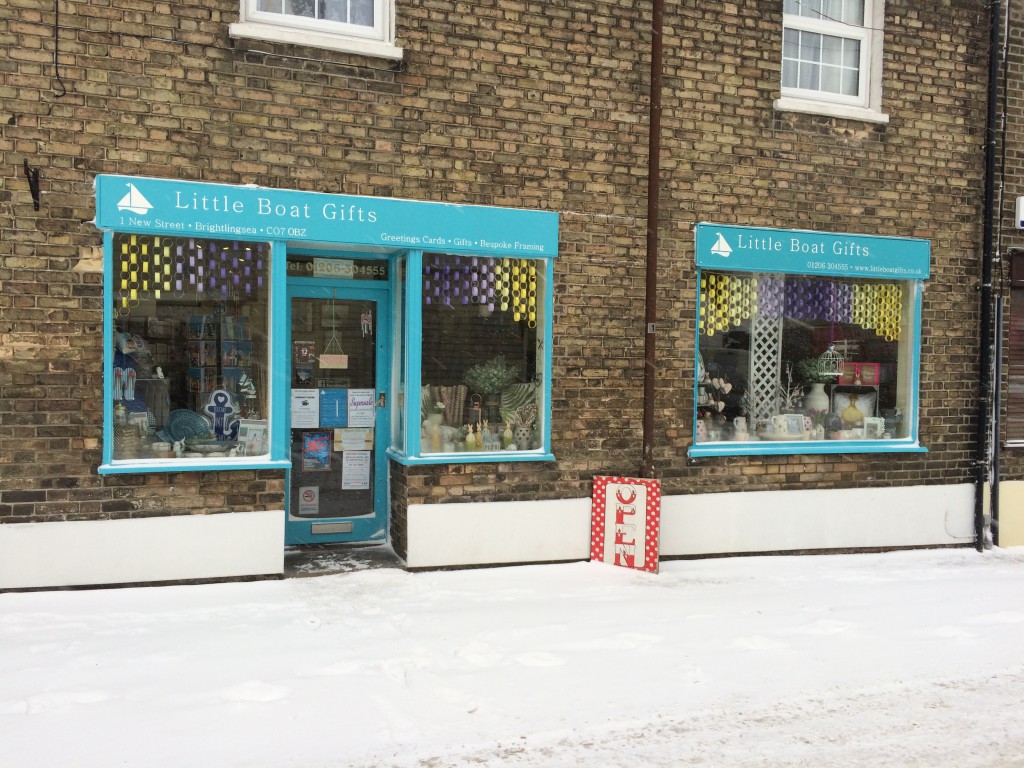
195, 209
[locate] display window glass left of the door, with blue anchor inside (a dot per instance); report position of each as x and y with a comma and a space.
188, 367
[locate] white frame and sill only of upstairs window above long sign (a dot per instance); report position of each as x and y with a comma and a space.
376, 41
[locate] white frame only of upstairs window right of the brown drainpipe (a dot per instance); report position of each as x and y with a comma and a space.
868, 106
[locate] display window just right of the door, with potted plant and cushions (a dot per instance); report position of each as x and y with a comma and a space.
483, 395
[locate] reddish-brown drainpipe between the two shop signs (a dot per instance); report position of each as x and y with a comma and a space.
654, 194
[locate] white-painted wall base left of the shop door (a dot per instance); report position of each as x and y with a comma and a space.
151, 549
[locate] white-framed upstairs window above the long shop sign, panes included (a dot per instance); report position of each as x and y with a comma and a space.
352, 26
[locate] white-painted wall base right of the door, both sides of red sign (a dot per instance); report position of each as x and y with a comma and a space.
711, 524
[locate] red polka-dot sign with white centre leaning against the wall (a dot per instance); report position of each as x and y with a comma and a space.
626, 523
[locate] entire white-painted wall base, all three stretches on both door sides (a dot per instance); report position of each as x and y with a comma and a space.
196, 547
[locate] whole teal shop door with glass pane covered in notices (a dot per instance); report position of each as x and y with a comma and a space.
338, 377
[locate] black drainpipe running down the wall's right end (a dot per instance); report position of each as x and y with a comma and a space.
985, 438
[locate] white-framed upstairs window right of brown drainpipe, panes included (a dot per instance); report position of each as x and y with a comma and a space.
832, 58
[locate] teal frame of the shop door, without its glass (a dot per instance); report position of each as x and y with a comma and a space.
365, 529
